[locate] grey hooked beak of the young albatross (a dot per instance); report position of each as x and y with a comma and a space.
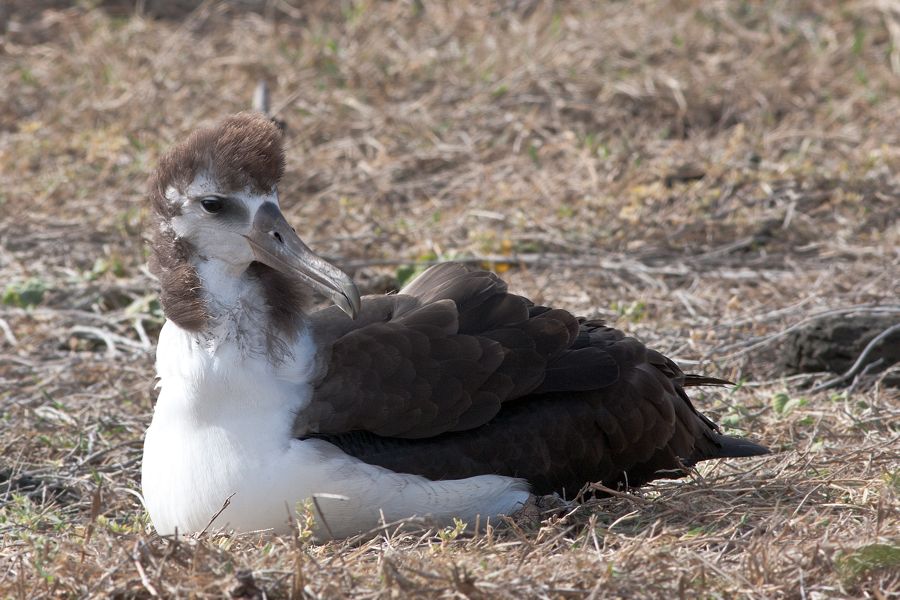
277, 245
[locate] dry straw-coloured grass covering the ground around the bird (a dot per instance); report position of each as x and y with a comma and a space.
546, 140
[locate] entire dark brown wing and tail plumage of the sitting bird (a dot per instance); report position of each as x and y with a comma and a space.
455, 377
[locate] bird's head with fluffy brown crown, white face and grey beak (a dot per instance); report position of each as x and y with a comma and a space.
219, 224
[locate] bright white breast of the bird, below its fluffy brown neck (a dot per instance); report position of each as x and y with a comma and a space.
222, 426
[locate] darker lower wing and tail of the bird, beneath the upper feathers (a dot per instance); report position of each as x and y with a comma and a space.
636, 429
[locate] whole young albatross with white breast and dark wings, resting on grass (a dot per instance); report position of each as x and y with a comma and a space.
453, 398
